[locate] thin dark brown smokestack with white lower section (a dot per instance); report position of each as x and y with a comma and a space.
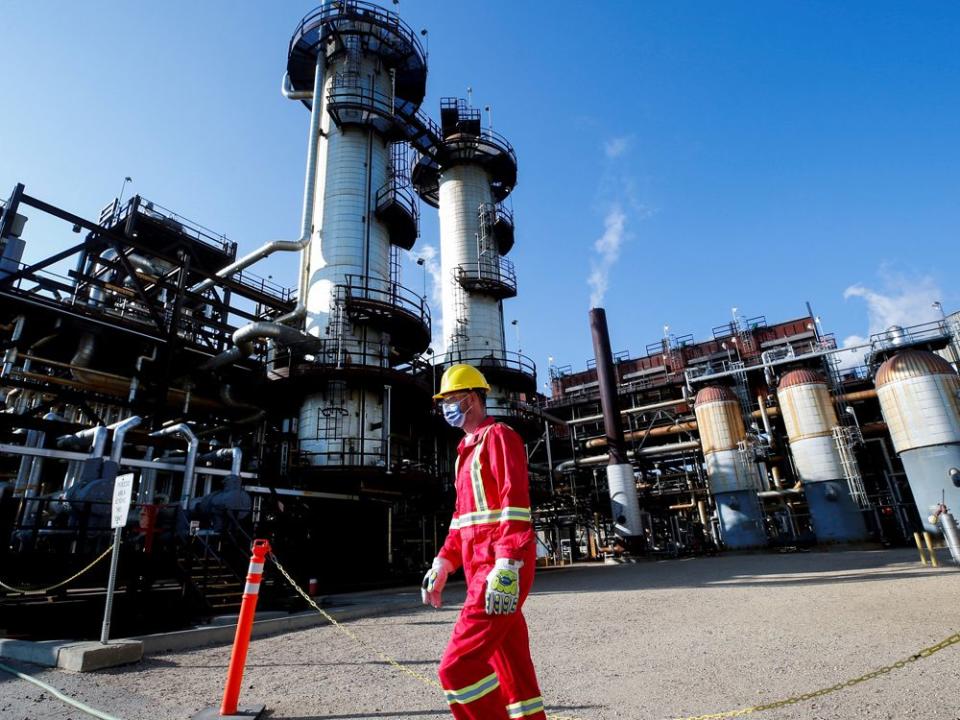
627, 522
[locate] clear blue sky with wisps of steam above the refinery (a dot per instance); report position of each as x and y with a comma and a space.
755, 155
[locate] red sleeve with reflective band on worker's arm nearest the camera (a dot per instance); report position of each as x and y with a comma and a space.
508, 463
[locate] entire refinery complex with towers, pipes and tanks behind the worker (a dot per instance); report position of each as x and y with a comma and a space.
244, 408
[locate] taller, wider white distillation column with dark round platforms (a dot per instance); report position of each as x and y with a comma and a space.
369, 65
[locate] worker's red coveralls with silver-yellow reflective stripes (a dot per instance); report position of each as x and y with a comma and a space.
486, 670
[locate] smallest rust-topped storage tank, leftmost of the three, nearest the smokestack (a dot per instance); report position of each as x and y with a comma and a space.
733, 487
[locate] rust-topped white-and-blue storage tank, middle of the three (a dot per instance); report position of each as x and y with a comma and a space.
809, 417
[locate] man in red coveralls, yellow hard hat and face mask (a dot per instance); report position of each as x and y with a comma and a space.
486, 671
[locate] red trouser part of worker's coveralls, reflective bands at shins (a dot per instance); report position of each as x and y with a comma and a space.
486, 671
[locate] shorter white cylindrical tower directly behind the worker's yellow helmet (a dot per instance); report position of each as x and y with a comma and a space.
468, 175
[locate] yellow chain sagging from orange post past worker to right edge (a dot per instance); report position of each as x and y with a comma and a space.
793, 700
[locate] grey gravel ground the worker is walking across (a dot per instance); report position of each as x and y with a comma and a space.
648, 641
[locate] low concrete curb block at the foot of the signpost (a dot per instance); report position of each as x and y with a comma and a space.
72, 655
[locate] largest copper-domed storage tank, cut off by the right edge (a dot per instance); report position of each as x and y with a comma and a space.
919, 395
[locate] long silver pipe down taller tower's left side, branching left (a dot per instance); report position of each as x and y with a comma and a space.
306, 221
